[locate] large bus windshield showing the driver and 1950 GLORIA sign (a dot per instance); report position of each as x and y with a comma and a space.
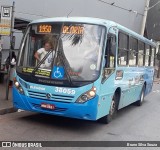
74, 51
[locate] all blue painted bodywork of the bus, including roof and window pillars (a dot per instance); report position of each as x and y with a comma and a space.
130, 85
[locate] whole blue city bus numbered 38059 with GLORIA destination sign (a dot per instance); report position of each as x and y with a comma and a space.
97, 67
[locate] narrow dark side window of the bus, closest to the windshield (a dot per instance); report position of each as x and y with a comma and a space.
110, 51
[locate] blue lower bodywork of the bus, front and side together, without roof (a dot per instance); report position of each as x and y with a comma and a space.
94, 108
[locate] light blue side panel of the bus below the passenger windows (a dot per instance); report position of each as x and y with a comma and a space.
134, 78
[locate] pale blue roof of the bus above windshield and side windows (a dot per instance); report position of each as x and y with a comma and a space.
97, 21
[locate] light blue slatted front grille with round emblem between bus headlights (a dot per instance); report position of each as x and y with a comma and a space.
54, 97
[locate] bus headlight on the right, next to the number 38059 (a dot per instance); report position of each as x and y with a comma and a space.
87, 96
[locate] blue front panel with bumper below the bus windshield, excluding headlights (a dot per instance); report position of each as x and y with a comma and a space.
64, 105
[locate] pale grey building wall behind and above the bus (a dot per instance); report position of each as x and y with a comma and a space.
36, 9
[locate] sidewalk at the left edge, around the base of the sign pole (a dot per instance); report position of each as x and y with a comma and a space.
6, 106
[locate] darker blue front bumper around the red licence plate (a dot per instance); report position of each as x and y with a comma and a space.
87, 110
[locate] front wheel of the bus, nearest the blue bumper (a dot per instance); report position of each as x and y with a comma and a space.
112, 112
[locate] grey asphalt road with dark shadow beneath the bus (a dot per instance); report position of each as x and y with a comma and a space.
131, 124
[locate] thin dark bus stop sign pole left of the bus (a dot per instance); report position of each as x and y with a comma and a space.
10, 50
